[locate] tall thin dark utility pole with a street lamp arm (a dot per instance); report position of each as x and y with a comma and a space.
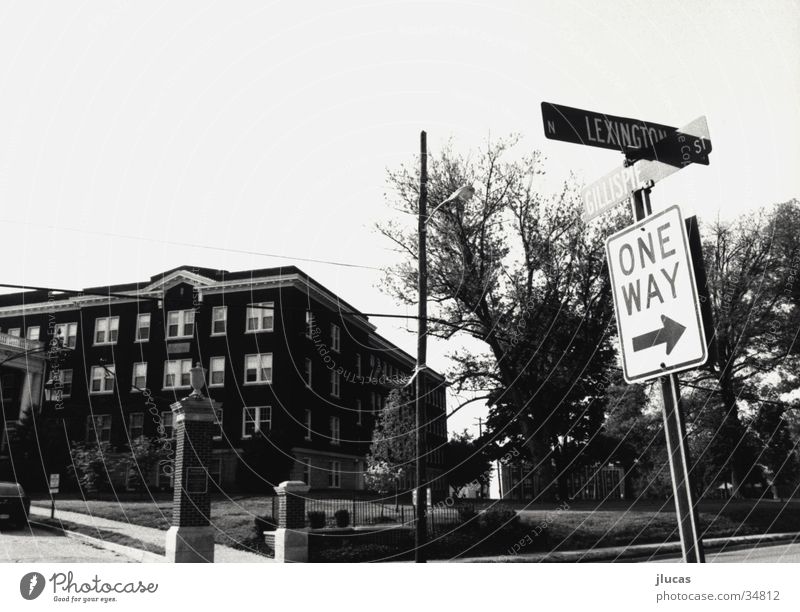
421, 532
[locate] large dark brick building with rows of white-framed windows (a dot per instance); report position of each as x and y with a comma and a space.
290, 363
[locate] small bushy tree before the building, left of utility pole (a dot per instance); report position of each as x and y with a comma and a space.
393, 449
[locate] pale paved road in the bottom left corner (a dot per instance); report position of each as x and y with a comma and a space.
30, 545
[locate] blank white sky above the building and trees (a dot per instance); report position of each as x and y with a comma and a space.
269, 128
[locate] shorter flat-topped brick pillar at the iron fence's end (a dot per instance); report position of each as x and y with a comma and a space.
291, 536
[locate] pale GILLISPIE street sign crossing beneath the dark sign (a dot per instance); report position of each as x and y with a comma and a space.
690, 143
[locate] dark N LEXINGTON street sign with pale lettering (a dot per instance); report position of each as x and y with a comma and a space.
600, 130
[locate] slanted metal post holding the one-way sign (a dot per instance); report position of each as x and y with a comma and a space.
675, 431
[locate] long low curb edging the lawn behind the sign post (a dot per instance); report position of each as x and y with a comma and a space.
633, 553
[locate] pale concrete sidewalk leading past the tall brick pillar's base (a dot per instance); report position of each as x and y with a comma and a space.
149, 537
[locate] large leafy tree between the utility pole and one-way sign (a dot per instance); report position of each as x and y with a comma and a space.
520, 273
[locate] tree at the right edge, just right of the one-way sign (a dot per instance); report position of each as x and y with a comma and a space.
749, 264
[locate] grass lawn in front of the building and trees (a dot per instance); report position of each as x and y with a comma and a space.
583, 525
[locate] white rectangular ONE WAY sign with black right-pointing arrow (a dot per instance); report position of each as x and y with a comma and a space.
655, 297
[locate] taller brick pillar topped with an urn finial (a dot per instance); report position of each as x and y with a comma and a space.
190, 539
